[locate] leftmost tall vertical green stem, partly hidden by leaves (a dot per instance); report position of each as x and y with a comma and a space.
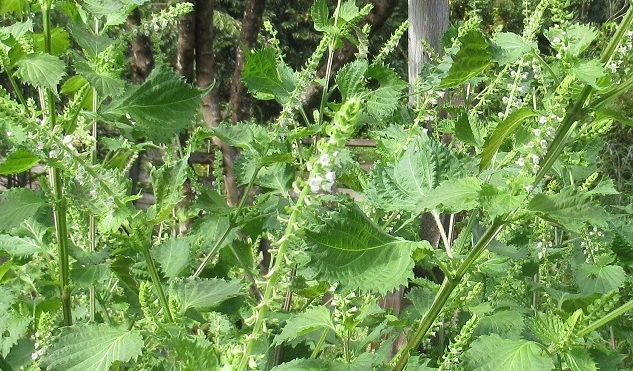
57, 185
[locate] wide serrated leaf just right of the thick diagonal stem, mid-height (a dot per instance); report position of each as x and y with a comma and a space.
569, 208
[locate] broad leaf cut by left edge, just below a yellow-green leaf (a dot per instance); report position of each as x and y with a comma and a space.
16, 205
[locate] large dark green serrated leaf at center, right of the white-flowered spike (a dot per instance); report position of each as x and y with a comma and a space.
349, 249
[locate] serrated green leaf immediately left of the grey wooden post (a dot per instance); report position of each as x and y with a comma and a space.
383, 100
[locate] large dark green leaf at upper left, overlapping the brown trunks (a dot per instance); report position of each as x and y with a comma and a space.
163, 106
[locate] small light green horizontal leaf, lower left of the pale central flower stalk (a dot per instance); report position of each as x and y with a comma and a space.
203, 293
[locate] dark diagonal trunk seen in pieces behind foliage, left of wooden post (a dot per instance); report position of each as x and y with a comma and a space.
381, 11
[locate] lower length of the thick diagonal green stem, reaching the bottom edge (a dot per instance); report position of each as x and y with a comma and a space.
445, 292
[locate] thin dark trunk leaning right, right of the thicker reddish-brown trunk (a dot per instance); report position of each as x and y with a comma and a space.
251, 23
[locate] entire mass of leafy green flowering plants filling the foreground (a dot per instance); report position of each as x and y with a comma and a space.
500, 149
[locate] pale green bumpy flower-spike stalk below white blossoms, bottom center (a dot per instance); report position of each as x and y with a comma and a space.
261, 311
